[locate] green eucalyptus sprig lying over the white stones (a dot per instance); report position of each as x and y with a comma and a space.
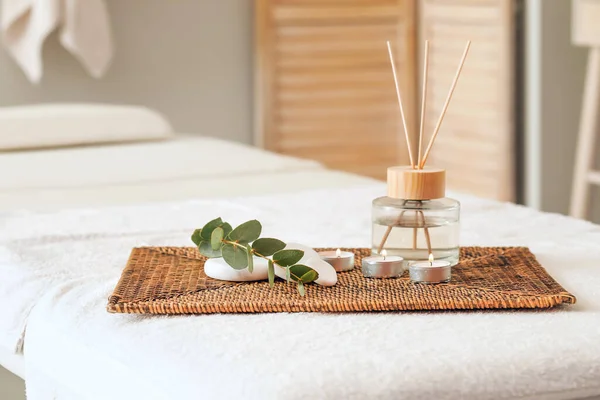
237, 247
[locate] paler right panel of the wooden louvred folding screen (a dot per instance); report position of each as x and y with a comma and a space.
475, 143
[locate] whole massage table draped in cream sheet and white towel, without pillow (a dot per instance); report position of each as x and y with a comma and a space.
61, 258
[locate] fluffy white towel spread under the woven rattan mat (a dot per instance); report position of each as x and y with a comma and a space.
74, 258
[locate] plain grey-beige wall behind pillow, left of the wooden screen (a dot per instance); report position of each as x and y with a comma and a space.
191, 59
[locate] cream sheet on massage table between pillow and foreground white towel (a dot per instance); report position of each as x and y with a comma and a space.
184, 168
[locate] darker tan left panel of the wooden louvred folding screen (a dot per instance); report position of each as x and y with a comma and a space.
324, 88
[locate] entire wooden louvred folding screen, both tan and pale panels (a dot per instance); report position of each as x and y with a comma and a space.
324, 88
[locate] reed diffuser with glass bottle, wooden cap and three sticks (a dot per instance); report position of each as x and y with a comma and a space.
415, 220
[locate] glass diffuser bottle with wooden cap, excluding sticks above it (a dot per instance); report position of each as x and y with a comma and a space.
415, 219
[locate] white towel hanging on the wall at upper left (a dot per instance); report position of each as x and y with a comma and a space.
85, 32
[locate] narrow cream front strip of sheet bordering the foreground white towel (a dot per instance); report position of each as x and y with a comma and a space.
295, 179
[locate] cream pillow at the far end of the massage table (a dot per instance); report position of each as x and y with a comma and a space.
57, 125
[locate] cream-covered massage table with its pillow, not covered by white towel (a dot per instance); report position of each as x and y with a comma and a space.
59, 156
